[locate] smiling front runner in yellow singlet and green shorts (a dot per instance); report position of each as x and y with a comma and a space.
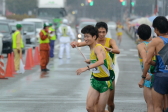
100, 78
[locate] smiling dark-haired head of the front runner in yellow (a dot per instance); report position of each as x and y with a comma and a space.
90, 34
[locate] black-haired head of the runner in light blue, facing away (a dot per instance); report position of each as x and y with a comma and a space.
144, 32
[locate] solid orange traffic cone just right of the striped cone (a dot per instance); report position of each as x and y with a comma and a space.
8, 72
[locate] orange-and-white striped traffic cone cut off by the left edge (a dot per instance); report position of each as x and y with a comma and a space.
2, 71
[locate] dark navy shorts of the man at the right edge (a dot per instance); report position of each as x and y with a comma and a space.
160, 83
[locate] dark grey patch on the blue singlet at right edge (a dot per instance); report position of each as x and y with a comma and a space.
164, 54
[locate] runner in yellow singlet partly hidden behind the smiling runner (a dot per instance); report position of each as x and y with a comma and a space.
112, 48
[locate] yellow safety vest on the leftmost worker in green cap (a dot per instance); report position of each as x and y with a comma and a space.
14, 36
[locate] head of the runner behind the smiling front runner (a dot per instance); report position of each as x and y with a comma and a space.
102, 29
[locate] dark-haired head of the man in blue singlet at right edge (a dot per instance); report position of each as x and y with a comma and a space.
160, 25
